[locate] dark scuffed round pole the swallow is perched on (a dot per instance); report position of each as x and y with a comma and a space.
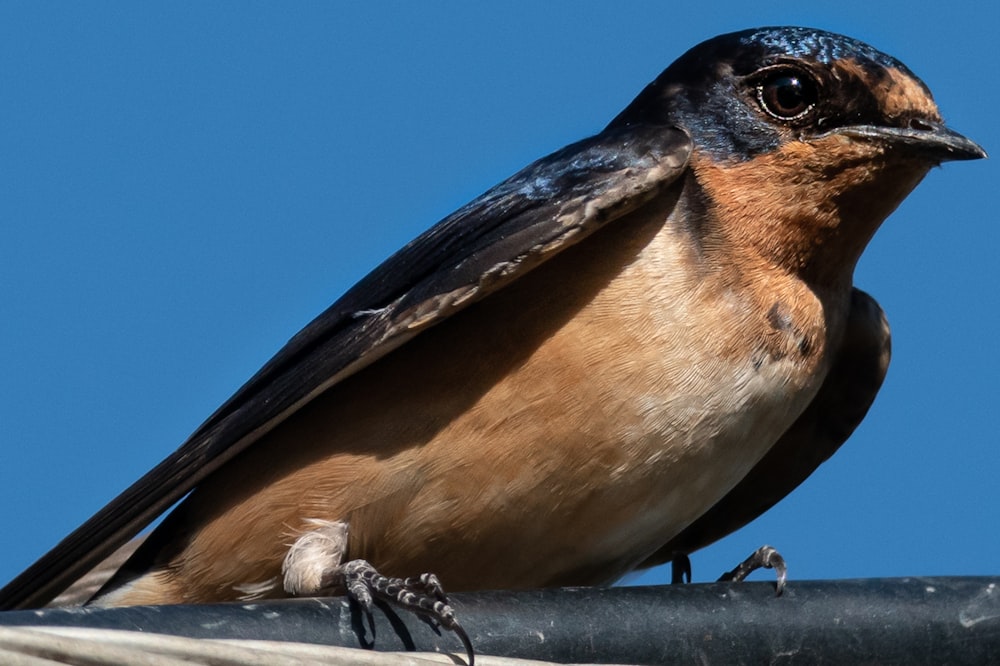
885, 621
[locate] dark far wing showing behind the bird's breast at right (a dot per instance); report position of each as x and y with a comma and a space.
854, 379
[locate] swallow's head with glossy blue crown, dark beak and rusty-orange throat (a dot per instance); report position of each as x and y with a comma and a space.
804, 140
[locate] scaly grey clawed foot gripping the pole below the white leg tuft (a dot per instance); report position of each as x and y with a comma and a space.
421, 595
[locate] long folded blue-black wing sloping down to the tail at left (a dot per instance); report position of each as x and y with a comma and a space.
517, 225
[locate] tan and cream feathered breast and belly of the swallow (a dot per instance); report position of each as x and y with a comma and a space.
557, 432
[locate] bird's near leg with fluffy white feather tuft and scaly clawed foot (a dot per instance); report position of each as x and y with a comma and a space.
314, 563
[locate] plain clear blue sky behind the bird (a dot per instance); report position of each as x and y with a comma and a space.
188, 184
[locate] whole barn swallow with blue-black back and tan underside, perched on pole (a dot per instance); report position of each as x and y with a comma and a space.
618, 355
